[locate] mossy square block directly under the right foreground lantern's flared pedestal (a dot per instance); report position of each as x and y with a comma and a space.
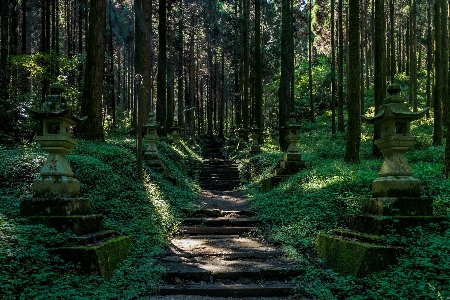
396, 186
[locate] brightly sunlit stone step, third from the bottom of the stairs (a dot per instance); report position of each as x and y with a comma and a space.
231, 246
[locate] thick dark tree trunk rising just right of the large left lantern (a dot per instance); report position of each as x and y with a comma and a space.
91, 105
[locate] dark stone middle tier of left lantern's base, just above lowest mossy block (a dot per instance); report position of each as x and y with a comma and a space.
79, 225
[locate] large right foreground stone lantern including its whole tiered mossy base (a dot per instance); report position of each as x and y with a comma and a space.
396, 204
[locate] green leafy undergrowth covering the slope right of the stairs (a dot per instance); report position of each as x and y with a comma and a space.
323, 195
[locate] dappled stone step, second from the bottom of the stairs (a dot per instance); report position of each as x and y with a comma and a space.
210, 269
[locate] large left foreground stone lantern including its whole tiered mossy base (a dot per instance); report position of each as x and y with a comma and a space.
56, 200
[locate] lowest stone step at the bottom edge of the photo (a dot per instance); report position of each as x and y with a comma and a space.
230, 290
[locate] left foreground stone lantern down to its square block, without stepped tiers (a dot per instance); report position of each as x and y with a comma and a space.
56, 177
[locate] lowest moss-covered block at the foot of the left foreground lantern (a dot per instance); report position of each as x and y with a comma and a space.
99, 259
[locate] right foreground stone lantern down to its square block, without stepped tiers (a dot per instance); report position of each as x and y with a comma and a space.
394, 118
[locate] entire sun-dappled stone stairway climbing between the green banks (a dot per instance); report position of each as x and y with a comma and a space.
219, 253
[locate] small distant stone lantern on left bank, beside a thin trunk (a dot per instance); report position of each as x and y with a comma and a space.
151, 154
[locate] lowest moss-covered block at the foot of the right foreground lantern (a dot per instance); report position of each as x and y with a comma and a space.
351, 256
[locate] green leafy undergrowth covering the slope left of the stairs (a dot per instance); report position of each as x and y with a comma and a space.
148, 212
